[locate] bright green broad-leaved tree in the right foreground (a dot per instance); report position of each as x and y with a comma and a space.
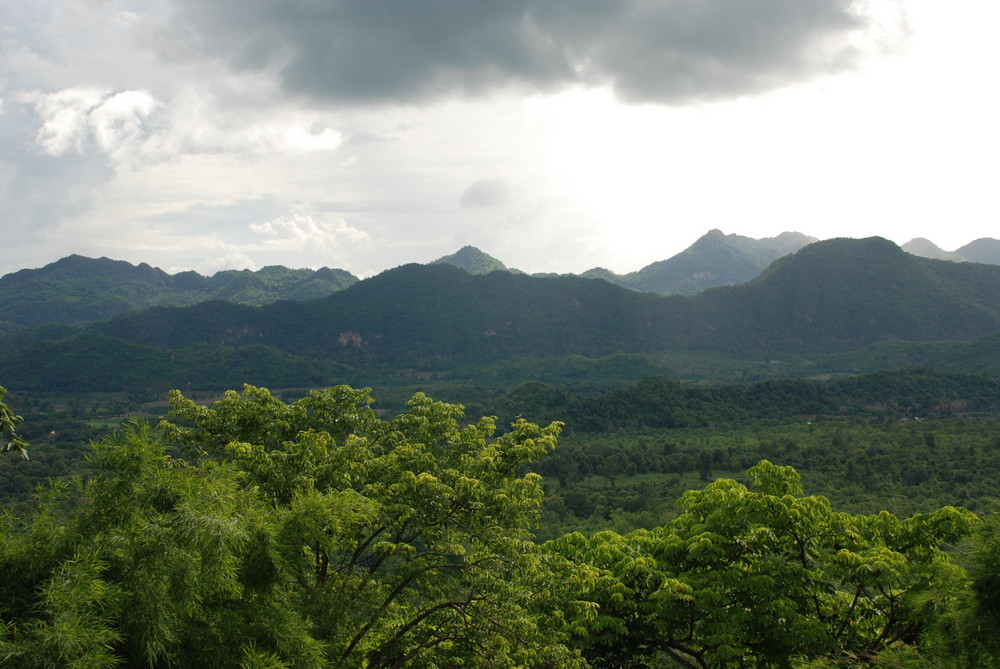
761, 576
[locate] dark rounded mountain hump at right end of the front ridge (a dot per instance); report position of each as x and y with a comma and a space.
848, 293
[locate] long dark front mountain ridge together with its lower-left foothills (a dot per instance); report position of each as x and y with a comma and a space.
841, 297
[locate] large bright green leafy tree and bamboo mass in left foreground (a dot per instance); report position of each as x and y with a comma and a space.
303, 534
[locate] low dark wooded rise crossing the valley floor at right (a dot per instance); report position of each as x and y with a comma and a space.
658, 402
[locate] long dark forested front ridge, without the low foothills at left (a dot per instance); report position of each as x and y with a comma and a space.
833, 294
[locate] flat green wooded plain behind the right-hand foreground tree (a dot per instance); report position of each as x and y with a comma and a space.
630, 478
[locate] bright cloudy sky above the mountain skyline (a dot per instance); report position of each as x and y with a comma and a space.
555, 135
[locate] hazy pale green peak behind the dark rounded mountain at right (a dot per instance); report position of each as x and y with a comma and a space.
716, 259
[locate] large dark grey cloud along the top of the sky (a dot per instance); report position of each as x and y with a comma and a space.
667, 51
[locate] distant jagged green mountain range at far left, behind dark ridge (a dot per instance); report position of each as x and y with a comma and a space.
79, 290
